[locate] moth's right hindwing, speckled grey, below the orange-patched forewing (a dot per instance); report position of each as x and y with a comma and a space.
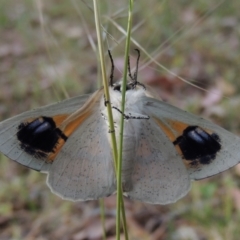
158, 175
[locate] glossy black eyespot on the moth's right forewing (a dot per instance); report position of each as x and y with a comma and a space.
198, 145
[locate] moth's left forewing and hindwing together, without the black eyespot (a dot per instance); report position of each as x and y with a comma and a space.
82, 169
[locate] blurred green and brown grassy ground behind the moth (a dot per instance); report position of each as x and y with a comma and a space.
48, 53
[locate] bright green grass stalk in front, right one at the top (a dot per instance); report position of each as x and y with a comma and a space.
124, 83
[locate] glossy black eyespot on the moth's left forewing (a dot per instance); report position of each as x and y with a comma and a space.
39, 137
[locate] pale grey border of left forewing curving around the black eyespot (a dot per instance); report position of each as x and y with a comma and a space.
9, 144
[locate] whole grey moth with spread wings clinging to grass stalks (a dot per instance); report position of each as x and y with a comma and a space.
164, 147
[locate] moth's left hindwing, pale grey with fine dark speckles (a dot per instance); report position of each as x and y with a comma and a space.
84, 170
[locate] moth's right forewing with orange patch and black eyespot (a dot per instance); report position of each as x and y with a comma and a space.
174, 121
